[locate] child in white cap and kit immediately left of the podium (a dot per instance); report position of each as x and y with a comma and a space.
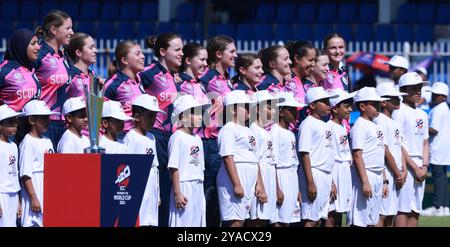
31, 160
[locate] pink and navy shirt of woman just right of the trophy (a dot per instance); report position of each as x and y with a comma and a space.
120, 87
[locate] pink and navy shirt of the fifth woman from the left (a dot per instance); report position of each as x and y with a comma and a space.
159, 82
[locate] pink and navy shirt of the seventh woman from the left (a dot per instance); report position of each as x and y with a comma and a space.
217, 87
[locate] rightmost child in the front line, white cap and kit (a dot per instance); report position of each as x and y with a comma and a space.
414, 122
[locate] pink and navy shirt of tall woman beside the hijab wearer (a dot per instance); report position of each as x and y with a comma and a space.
52, 72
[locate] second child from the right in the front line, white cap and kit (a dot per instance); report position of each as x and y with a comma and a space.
395, 164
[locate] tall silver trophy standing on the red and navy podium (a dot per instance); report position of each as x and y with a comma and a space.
94, 105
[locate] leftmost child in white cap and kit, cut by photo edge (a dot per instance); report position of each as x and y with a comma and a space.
10, 208
